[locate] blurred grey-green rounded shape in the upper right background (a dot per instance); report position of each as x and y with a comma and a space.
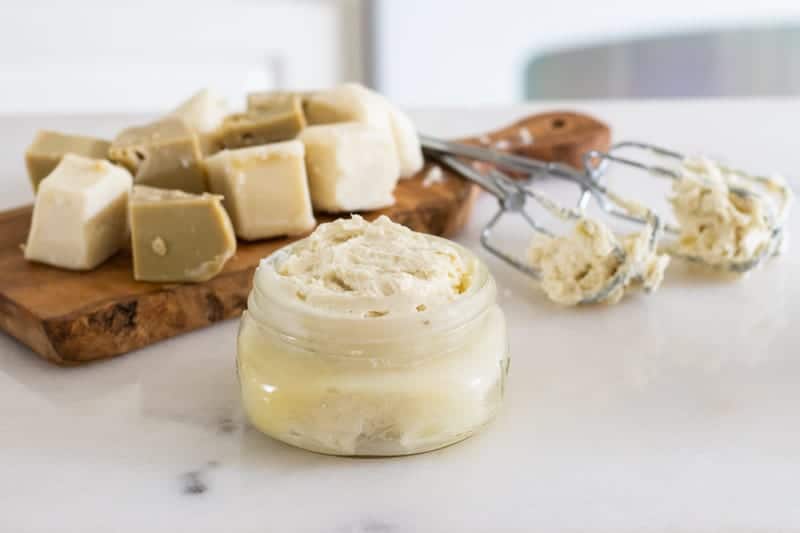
743, 62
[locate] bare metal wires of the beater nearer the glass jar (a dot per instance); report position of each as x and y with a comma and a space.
513, 196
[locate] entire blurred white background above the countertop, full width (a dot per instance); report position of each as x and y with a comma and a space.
101, 56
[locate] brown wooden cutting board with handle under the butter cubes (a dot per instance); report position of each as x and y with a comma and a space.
71, 318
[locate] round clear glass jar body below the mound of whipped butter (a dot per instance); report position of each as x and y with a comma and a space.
372, 385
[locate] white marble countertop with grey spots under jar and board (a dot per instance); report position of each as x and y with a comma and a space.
675, 412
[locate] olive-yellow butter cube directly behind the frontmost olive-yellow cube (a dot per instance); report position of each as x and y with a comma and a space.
164, 154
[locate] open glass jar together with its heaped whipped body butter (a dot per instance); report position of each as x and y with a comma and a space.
371, 339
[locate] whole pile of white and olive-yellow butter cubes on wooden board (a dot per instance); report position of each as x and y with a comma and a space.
182, 188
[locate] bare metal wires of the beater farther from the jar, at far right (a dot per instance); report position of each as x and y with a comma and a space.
596, 164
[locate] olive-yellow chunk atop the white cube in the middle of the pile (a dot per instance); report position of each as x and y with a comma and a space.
281, 120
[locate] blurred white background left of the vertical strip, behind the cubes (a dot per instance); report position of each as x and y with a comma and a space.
148, 55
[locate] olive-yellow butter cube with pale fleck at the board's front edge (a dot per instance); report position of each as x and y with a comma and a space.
178, 237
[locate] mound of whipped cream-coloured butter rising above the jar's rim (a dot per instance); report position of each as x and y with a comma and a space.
374, 268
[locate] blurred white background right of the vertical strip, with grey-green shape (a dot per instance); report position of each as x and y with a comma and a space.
470, 53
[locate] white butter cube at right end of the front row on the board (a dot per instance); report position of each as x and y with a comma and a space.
351, 167
